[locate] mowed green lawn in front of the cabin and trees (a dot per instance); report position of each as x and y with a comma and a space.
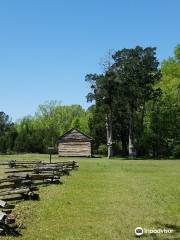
105, 199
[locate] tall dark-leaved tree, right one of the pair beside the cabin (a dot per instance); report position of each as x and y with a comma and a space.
136, 72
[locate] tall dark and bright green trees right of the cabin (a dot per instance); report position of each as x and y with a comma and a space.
139, 103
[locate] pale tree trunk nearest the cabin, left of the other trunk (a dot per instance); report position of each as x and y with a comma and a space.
109, 134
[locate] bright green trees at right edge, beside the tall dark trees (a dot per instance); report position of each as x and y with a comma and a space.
162, 119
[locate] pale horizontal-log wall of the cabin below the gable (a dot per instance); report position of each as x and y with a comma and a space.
74, 148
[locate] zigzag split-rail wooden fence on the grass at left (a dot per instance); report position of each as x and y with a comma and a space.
22, 181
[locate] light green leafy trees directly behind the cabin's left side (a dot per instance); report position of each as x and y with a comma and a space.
51, 120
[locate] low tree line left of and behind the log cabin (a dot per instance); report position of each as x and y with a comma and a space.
35, 133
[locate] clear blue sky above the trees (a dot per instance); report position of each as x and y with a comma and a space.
47, 47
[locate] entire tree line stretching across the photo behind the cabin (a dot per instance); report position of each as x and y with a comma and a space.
135, 110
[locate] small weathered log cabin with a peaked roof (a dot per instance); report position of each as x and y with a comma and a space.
75, 143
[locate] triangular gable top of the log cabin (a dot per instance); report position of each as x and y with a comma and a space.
72, 136
